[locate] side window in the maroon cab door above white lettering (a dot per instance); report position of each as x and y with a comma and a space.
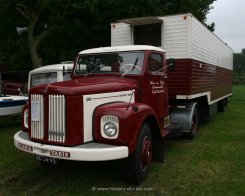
155, 63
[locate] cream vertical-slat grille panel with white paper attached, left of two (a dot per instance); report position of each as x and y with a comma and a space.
37, 120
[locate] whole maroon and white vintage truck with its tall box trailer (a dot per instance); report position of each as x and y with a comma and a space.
123, 101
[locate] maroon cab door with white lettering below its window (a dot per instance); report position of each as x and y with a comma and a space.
156, 84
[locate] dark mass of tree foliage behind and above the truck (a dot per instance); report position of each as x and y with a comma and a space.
60, 29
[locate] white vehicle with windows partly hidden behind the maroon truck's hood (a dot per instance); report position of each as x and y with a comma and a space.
50, 73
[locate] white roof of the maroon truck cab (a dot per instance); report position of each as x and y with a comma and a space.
121, 49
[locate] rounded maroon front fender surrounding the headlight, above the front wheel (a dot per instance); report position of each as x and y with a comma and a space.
131, 118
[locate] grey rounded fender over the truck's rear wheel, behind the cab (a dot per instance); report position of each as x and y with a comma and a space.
183, 115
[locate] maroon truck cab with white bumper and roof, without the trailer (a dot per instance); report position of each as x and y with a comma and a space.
115, 107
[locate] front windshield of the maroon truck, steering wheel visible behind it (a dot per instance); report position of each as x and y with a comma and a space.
117, 62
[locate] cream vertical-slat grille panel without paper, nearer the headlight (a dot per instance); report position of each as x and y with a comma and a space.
57, 127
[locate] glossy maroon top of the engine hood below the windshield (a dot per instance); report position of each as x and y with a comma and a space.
84, 86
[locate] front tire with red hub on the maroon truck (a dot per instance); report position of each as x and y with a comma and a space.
139, 161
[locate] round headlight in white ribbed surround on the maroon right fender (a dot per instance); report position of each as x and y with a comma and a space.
109, 126
